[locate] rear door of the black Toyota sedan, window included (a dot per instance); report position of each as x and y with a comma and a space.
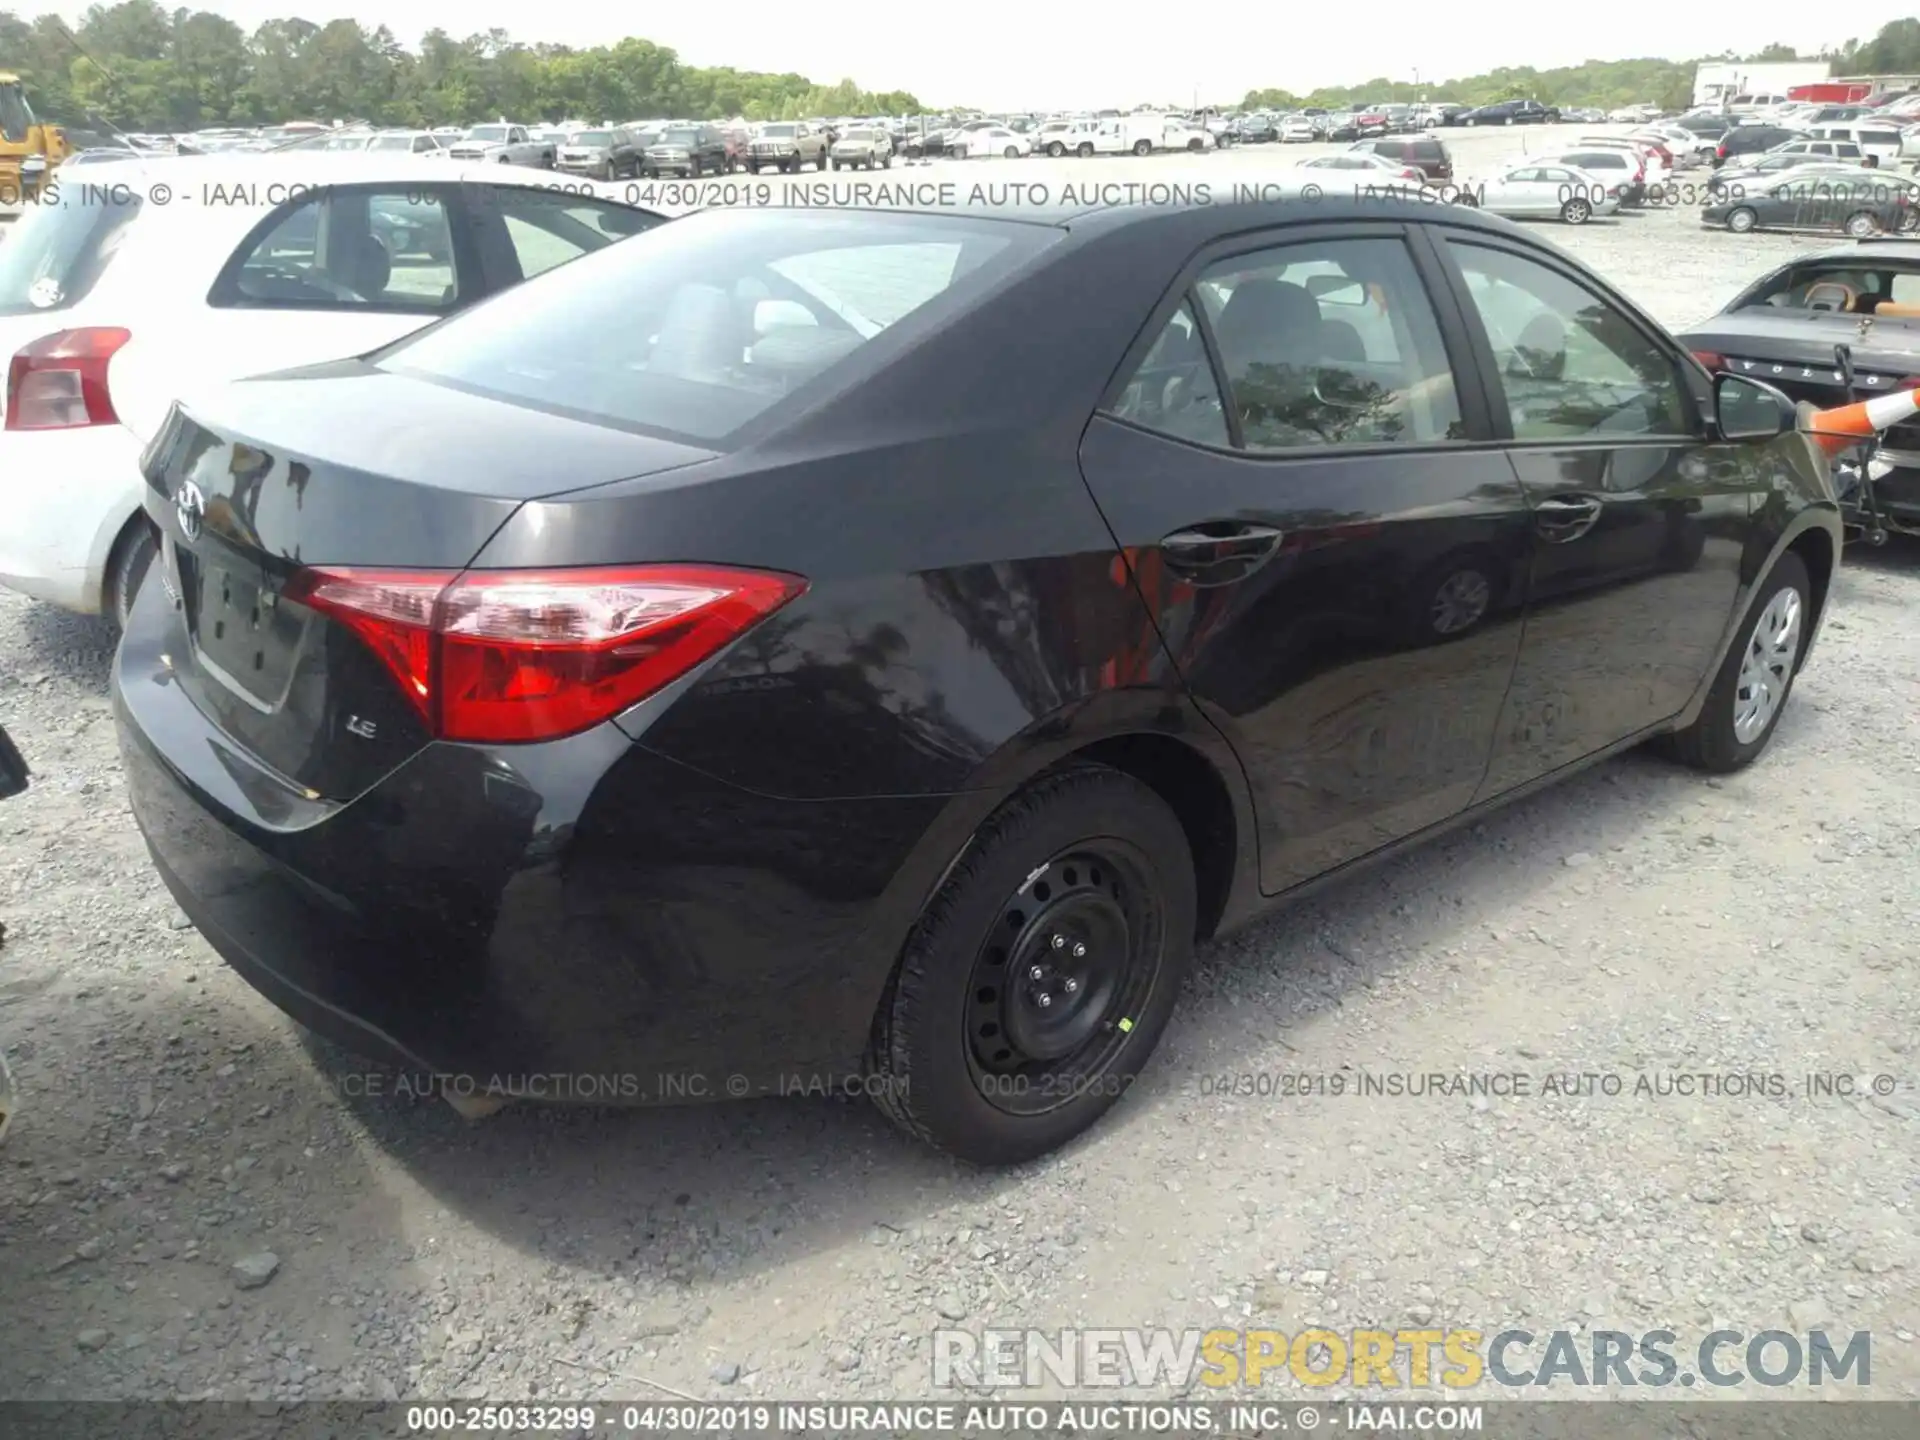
1335, 565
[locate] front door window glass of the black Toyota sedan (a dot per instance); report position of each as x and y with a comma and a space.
1570, 362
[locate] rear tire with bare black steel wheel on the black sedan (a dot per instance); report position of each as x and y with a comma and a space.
938, 1015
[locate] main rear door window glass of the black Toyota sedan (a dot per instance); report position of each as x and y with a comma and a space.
1332, 343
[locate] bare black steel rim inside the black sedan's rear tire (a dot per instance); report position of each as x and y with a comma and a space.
1061, 976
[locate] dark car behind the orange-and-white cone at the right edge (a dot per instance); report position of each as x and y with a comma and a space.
1787, 325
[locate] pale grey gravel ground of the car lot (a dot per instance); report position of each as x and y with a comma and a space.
203, 1201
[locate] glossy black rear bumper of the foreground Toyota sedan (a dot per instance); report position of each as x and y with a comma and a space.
571, 921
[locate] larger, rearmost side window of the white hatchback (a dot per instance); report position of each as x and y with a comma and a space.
366, 249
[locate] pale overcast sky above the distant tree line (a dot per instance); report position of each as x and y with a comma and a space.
1092, 55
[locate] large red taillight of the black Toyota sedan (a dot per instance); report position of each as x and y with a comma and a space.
529, 656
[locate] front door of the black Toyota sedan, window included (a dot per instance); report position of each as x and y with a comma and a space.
1639, 521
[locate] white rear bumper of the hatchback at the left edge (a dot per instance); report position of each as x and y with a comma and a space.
66, 498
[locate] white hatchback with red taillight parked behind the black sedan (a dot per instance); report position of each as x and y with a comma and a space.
160, 276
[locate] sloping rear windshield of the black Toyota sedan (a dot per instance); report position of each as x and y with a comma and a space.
723, 314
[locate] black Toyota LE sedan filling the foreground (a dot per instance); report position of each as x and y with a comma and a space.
882, 658
